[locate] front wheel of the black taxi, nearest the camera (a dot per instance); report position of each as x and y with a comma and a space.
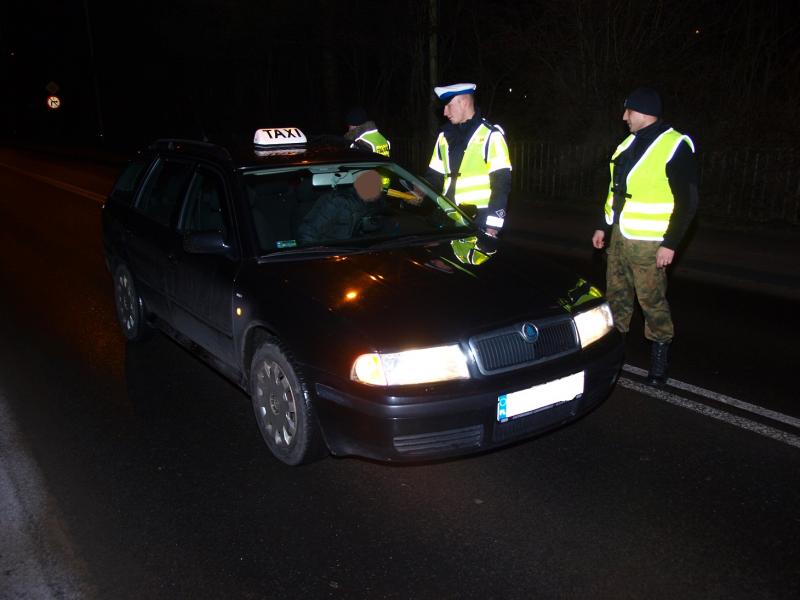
283, 408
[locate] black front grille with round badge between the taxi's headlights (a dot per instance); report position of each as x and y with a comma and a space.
506, 349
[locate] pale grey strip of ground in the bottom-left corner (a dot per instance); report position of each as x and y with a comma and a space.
36, 559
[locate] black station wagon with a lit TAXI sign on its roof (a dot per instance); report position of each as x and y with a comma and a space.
380, 324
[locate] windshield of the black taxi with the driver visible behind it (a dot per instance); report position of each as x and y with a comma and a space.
353, 205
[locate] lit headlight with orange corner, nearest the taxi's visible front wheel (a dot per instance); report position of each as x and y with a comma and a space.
424, 365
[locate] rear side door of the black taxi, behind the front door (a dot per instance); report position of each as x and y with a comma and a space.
150, 230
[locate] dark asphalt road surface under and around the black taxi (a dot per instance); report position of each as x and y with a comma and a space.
134, 471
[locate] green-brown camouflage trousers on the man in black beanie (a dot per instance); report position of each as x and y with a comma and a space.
632, 274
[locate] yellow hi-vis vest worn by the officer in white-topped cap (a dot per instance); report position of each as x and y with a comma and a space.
486, 152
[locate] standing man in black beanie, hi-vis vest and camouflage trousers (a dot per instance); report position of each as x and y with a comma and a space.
651, 201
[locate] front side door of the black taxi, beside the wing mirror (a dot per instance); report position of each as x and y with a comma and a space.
202, 283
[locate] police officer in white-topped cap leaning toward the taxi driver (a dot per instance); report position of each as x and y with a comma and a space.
470, 162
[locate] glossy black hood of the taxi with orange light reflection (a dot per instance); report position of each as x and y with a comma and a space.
419, 294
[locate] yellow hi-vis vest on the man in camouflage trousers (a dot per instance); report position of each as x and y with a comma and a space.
647, 211
